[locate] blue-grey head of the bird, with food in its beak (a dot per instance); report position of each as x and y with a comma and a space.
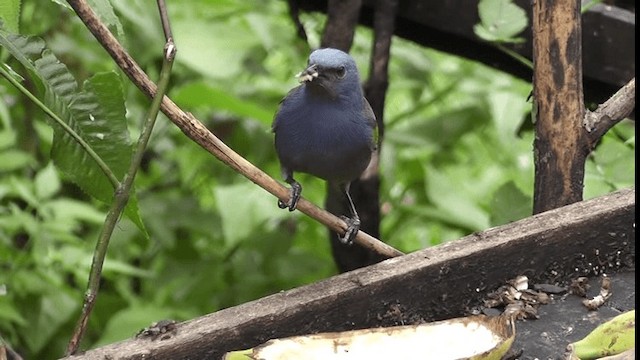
331, 72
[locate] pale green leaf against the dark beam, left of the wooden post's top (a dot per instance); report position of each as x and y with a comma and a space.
500, 21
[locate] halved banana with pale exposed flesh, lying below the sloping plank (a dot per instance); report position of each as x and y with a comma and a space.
475, 337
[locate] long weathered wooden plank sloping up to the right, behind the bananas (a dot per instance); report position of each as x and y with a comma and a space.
586, 238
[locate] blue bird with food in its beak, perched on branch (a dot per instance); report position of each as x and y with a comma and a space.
325, 127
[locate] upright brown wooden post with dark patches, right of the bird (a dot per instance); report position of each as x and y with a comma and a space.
560, 144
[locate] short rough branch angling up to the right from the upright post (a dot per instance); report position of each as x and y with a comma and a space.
611, 112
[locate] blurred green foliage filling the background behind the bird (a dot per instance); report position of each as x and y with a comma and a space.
456, 158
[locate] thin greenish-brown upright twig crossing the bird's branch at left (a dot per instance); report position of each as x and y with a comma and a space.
122, 193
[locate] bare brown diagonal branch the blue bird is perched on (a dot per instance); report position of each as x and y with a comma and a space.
197, 132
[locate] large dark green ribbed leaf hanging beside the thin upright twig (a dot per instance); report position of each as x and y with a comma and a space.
96, 114
